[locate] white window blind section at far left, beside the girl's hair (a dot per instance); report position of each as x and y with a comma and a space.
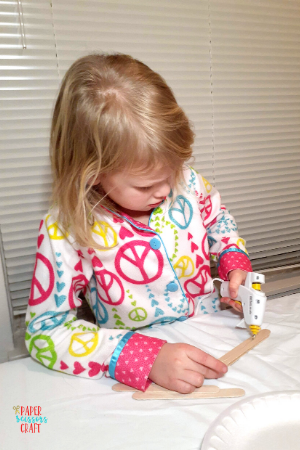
29, 82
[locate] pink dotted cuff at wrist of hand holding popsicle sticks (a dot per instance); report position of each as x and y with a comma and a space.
136, 360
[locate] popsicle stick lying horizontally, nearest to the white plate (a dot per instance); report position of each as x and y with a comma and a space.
171, 395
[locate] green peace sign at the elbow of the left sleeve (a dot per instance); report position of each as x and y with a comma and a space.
42, 348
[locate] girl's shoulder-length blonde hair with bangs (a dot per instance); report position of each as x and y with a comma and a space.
112, 113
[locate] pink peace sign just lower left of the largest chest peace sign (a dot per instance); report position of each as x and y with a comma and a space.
110, 288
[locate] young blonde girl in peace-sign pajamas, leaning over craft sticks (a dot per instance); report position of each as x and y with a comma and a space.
131, 229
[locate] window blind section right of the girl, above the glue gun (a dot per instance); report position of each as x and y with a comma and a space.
255, 50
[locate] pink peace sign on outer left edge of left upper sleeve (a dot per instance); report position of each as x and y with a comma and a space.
43, 283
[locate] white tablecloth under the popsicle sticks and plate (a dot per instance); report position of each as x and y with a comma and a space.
87, 414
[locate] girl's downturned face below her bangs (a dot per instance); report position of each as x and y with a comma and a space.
138, 193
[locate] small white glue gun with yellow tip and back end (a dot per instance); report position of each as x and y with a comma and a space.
252, 299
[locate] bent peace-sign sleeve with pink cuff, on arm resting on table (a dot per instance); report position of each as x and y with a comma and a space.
55, 337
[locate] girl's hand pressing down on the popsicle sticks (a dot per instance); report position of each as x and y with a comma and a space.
183, 368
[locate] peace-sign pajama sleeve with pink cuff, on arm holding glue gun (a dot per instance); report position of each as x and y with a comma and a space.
226, 247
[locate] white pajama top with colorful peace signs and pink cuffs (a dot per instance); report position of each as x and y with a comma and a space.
144, 275
